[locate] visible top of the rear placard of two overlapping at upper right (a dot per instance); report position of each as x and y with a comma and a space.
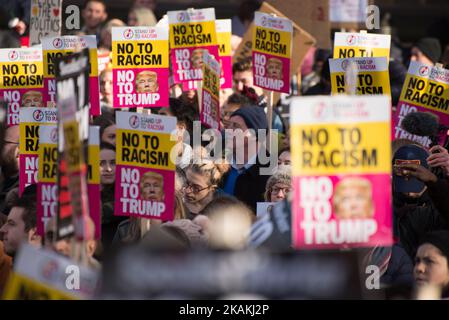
357, 45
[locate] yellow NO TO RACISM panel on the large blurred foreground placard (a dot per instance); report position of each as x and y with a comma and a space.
373, 135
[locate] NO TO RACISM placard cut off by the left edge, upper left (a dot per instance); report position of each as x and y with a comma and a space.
21, 81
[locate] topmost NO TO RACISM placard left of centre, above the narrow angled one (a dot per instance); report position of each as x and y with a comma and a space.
191, 32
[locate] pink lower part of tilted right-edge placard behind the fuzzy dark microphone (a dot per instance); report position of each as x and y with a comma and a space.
403, 108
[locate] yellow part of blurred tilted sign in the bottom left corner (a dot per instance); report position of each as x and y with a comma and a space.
19, 285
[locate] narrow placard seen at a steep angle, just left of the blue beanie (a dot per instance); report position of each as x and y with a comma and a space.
210, 104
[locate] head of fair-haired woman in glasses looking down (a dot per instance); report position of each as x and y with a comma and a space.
201, 184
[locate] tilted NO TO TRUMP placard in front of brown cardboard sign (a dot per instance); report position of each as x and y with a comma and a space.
271, 54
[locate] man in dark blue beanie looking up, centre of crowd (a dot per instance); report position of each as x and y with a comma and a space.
245, 180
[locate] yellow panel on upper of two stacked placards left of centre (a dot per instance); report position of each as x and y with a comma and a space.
159, 47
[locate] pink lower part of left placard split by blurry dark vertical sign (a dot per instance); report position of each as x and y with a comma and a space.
94, 207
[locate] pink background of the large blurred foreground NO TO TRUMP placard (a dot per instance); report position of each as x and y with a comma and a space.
381, 195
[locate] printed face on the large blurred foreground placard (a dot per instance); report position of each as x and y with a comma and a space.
355, 203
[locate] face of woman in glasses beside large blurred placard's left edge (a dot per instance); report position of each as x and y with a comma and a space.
279, 185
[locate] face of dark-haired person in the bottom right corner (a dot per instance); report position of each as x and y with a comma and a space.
431, 267
